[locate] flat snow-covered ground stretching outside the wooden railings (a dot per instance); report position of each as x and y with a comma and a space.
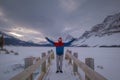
108, 58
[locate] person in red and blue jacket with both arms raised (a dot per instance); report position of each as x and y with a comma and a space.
59, 51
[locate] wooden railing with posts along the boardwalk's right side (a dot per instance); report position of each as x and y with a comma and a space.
90, 73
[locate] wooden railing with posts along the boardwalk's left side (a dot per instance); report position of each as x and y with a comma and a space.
27, 73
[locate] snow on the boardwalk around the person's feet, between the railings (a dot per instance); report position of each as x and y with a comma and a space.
66, 75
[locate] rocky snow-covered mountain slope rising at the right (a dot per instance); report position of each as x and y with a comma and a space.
105, 34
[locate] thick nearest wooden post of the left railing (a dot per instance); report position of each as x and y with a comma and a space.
29, 62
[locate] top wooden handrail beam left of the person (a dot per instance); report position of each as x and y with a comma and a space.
28, 71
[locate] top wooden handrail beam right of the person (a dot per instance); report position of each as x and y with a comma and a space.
93, 75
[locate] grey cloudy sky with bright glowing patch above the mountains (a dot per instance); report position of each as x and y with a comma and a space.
35, 19
